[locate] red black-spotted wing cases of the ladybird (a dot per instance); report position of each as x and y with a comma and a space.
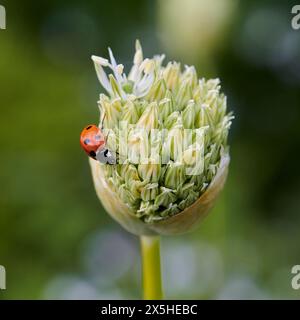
91, 140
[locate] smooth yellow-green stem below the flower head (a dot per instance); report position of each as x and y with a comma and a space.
152, 283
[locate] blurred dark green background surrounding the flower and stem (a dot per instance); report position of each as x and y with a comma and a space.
56, 241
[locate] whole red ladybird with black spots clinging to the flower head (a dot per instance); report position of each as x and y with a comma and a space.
93, 142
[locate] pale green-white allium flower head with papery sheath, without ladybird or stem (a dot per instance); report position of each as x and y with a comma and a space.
169, 132
